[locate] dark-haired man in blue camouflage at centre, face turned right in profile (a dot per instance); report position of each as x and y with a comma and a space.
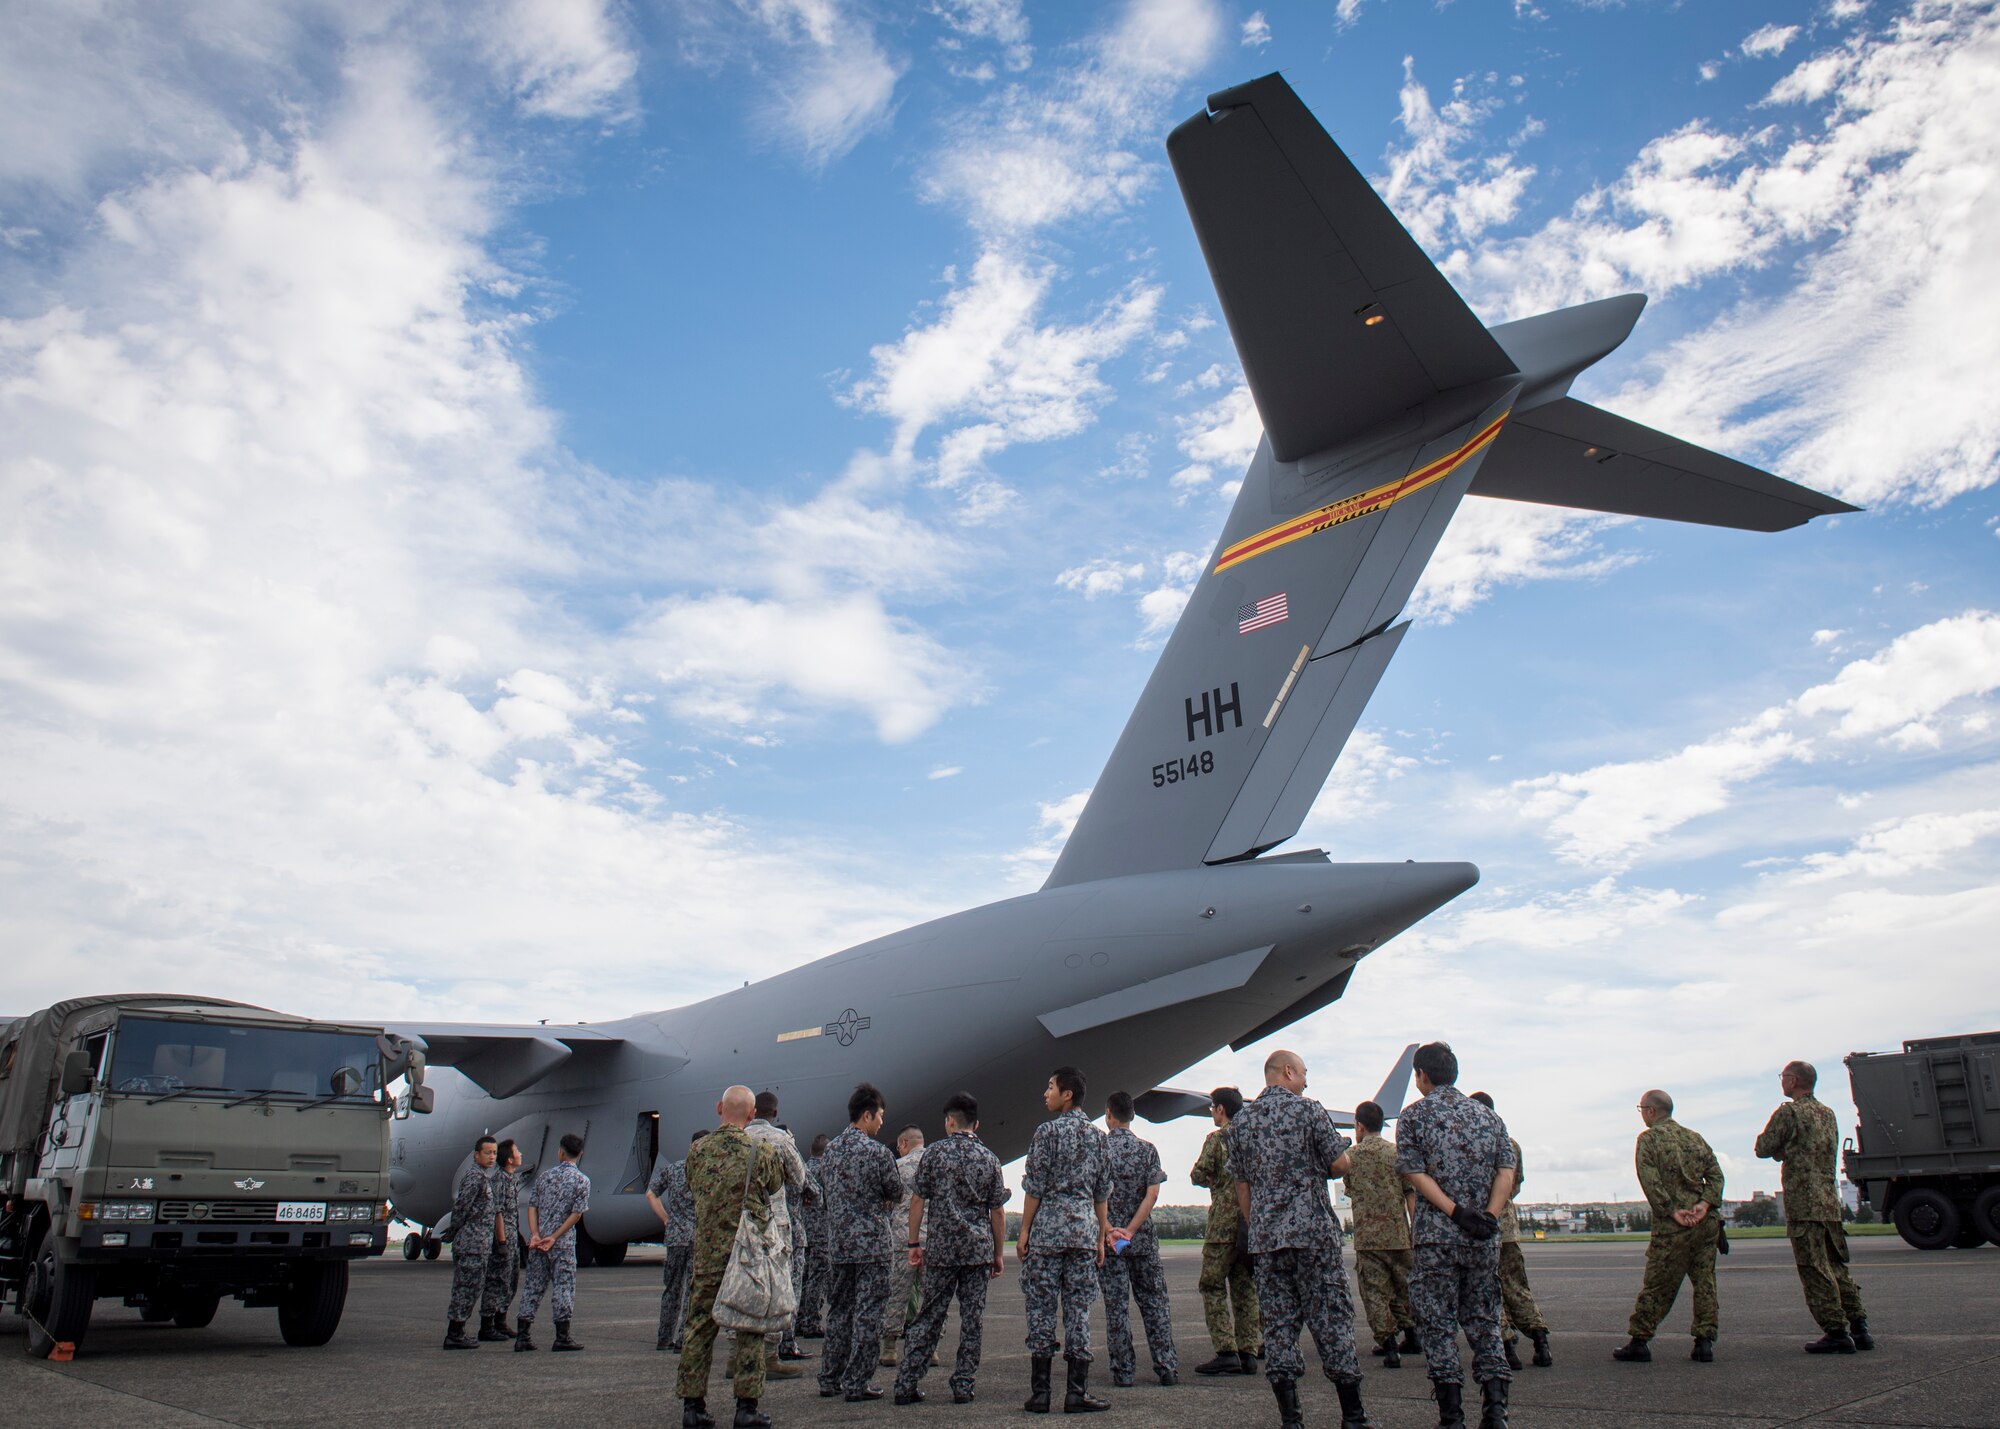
1065, 1228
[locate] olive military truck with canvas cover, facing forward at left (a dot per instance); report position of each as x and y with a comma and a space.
175, 1150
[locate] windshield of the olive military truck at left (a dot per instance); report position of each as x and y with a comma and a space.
205, 1060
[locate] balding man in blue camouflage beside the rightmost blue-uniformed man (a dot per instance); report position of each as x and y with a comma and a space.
1283, 1152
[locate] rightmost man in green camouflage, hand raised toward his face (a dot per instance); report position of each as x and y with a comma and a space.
1807, 1140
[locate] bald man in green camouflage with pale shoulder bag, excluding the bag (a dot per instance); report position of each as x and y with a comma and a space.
727, 1172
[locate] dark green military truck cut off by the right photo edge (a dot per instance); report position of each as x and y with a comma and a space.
1929, 1134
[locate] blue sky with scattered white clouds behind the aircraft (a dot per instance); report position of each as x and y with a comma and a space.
551, 509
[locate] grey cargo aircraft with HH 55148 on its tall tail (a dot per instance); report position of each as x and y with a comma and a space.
1171, 924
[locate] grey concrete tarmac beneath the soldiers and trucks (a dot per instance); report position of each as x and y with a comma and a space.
1937, 1320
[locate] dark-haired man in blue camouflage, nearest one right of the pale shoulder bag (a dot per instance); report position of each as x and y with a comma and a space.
861, 1184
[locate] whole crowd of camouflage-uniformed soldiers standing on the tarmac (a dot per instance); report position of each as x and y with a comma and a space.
881, 1244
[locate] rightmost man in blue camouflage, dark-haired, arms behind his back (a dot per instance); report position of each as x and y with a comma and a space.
1457, 1156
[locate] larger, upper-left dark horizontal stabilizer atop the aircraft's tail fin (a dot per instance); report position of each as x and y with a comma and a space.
1337, 313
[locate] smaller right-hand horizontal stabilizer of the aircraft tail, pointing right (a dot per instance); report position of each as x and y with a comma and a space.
1569, 453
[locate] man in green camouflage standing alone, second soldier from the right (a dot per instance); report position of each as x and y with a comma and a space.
1683, 1184
